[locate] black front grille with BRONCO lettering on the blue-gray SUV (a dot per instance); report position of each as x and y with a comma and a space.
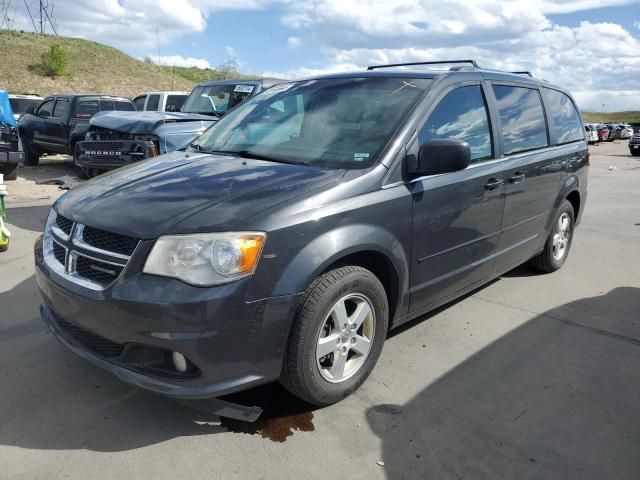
113, 154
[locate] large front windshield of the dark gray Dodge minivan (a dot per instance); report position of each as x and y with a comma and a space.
334, 122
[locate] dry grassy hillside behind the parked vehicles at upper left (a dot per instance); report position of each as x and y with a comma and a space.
93, 67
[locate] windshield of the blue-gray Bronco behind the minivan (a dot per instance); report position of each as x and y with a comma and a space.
216, 99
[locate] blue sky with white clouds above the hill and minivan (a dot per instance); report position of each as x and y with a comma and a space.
592, 50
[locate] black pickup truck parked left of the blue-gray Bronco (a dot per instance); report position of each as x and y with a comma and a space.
61, 121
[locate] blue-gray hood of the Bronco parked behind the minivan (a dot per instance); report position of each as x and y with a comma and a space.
143, 123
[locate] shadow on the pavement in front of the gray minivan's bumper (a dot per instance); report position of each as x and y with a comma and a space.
83, 407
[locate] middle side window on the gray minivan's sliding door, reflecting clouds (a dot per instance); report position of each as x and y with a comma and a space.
522, 118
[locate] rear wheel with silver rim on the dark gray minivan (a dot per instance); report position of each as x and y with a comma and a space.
554, 255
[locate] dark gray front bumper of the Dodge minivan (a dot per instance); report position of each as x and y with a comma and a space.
234, 344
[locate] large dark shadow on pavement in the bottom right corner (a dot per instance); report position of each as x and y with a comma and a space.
555, 398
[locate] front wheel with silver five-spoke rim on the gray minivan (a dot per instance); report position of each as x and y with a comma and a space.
311, 378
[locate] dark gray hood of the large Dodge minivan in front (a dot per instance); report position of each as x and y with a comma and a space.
187, 193
